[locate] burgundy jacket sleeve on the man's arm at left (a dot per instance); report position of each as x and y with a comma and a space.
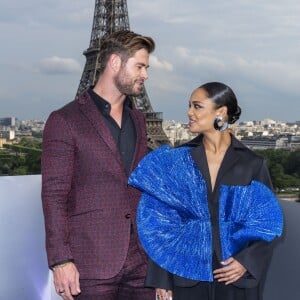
57, 169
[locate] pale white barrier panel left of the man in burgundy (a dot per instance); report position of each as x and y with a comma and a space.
23, 264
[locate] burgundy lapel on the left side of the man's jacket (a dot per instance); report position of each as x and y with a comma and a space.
91, 112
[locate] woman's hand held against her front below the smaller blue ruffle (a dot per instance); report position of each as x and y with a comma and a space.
231, 272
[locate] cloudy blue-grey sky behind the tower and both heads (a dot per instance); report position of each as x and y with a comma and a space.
251, 45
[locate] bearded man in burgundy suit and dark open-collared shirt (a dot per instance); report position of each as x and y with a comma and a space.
90, 146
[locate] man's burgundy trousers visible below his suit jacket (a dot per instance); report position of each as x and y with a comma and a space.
127, 285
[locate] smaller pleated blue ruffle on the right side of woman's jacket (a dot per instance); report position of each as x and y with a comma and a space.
248, 213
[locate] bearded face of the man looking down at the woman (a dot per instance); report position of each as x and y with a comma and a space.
131, 76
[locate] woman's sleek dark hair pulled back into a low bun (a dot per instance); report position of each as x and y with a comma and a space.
223, 95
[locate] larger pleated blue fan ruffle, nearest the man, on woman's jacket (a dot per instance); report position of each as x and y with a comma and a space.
172, 218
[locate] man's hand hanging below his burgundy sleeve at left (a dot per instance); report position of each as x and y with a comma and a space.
66, 280
